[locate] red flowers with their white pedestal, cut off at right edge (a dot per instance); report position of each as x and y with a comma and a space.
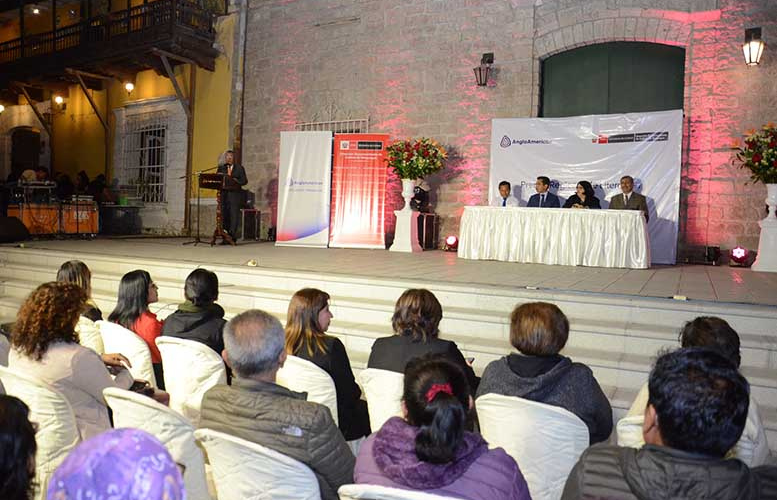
758, 154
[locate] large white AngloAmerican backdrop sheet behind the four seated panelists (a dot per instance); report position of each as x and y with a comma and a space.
600, 149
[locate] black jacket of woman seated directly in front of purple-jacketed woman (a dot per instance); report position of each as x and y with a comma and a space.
393, 353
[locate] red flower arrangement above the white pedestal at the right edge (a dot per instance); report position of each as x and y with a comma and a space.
759, 154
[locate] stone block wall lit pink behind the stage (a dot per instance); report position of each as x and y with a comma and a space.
408, 65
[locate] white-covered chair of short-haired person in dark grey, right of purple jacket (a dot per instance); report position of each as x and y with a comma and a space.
546, 441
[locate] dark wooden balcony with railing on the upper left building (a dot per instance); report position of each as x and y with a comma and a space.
117, 44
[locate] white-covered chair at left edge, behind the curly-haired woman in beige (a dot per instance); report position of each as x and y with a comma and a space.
57, 431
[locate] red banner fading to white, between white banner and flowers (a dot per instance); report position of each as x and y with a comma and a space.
359, 175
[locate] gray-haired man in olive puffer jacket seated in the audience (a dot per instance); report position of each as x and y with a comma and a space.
255, 408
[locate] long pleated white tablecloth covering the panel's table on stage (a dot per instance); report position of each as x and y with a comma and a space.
572, 237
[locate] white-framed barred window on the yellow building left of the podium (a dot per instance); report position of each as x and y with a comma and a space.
145, 155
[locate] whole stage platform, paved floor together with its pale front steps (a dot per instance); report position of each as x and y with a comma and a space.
619, 318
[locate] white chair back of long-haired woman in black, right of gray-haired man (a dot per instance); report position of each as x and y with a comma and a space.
301, 375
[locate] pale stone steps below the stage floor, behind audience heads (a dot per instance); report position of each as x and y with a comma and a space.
617, 336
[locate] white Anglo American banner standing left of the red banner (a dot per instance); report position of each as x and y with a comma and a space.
303, 189
